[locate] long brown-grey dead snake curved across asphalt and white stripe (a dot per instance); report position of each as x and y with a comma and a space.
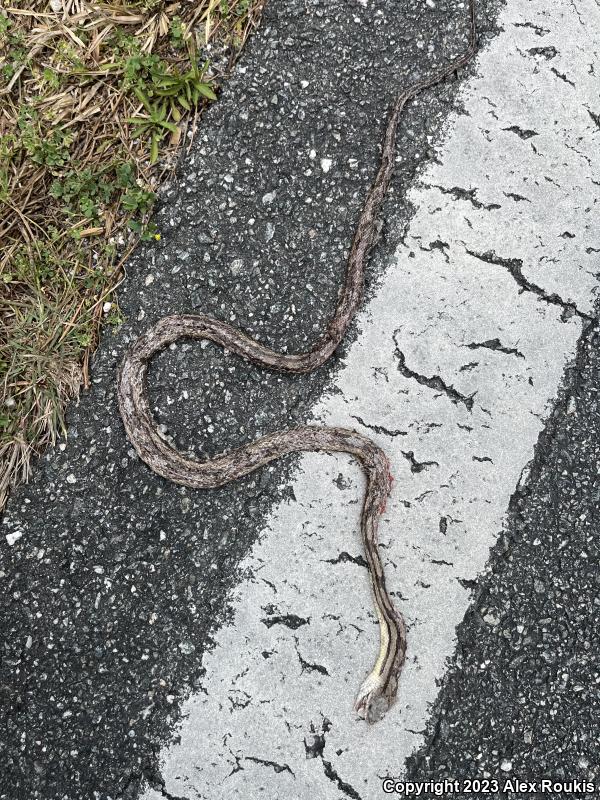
378, 691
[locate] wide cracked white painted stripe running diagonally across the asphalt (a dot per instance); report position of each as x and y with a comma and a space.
261, 704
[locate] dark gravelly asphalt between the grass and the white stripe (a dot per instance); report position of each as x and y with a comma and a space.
111, 579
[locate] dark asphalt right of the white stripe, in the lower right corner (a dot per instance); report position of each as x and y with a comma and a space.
521, 698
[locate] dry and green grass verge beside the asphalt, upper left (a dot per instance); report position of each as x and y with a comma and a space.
96, 101
